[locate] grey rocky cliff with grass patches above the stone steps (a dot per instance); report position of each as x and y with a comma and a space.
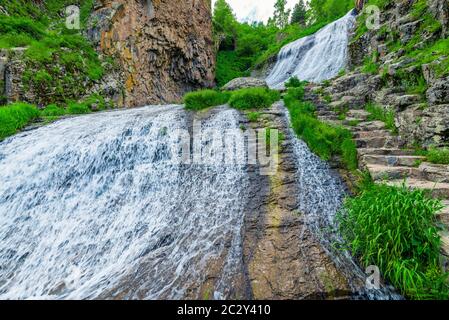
400, 67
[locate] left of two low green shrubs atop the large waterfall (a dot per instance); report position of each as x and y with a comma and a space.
205, 98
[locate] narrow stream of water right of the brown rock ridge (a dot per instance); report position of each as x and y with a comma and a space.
321, 193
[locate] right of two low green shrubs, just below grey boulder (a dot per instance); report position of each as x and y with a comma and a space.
253, 98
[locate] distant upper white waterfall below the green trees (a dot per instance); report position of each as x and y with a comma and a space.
315, 58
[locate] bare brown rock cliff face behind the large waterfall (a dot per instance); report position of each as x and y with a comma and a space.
164, 47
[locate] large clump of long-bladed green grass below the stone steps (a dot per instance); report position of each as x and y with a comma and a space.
394, 229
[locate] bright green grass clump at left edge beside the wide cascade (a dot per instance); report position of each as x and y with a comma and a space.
14, 117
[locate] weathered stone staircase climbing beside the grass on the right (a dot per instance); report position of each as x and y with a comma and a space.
383, 155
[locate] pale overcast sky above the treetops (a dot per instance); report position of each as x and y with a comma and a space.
254, 10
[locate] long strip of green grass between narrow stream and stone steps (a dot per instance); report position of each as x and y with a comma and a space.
323, 139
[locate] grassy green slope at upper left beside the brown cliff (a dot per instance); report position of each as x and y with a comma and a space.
56, 58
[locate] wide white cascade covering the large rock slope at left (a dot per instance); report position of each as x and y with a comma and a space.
89, 208
